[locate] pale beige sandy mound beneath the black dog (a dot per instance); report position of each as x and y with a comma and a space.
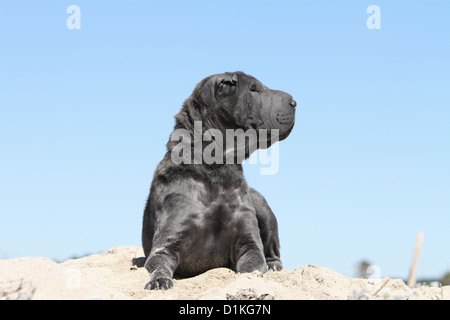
111, 275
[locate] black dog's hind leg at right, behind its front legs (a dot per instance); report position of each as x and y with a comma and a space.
268, 228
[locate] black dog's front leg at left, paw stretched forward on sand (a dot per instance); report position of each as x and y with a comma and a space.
171, 228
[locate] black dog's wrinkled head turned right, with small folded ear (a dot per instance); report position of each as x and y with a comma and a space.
238, 100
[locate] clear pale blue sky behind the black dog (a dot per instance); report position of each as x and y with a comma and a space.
85, 115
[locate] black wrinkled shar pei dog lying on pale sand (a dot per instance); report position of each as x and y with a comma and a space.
201, 216
